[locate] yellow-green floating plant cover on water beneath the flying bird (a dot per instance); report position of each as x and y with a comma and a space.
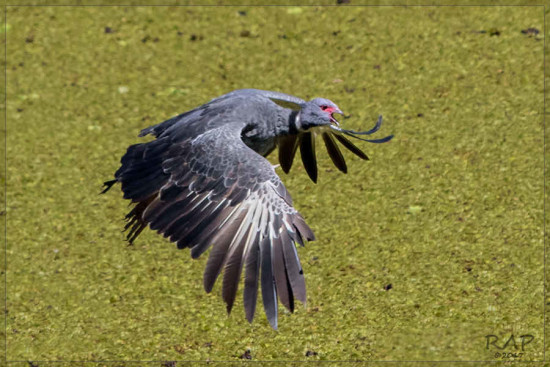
421, 252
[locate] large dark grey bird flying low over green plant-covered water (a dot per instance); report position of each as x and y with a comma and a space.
204, 181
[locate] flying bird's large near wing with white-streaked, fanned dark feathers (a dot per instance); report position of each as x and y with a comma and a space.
219, 192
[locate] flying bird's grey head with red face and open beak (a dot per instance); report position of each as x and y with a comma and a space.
317, 112
